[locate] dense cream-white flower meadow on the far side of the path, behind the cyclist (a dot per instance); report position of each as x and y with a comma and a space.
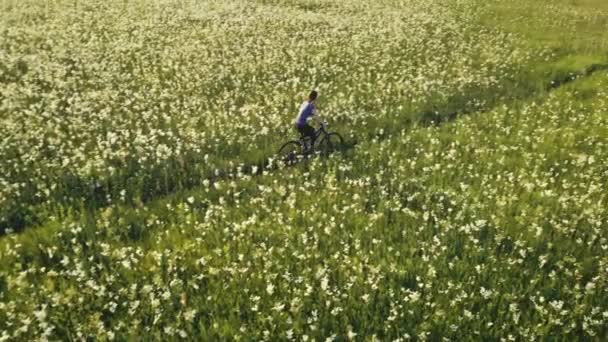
102, 102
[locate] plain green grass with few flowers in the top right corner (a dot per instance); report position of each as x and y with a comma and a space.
568, 41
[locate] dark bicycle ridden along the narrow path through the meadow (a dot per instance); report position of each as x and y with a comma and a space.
328, 142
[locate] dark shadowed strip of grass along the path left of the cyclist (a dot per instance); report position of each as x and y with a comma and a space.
80, 195
